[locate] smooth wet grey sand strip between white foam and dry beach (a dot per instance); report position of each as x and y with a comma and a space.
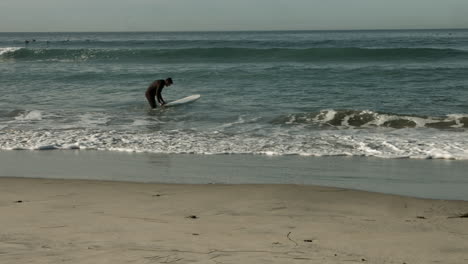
435, 179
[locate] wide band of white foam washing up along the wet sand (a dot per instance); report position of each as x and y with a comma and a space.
404, 143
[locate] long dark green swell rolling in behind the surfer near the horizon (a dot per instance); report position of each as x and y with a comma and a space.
233, 54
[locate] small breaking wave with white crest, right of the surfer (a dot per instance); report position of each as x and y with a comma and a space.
369, 119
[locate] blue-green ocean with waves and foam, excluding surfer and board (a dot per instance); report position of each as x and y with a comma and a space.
384, 94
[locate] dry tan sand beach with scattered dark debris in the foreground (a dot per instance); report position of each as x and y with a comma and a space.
69, 221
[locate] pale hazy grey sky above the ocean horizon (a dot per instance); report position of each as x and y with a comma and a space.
188, 15
